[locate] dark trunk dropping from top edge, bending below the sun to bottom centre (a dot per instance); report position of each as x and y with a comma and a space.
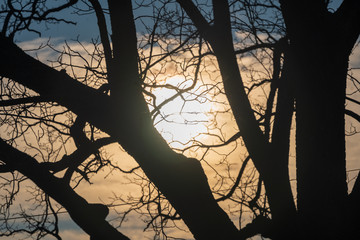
182, 180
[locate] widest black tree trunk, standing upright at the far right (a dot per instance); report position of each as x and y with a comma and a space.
321, 43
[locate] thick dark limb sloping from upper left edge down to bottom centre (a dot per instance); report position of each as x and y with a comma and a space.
182, 180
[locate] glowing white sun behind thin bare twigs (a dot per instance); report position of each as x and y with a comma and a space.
184, 117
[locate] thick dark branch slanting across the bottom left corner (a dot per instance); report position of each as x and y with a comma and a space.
88, 216
